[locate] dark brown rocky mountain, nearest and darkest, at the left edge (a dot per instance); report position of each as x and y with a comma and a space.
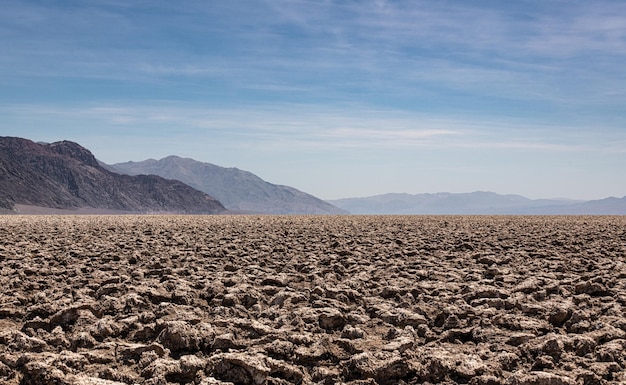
64, 175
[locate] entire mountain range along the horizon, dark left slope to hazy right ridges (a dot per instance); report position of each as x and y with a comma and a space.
61, 176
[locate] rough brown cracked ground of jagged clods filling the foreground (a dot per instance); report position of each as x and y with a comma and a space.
281, 300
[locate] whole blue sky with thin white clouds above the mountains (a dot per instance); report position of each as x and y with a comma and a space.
336, 98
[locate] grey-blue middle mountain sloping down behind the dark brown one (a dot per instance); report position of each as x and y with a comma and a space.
238, 190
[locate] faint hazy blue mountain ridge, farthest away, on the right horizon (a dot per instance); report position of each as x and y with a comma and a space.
479, 202
